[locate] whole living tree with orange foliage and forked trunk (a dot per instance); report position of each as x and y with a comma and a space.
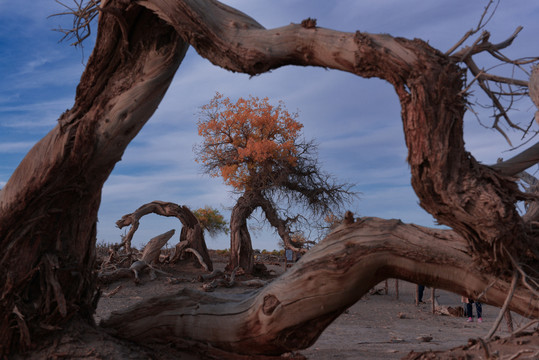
257, 149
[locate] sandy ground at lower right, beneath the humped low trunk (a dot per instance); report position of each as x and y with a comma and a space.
384, 327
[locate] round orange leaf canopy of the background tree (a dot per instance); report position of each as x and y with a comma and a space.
247, 139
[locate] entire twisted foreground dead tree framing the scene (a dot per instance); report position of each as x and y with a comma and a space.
48, 208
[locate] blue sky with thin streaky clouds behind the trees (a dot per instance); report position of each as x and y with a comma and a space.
355, 121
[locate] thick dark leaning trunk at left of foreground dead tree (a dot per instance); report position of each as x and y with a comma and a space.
48, 208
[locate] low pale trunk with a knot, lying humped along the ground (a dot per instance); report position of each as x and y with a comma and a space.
291, 312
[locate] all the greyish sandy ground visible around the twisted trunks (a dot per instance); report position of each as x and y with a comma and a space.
376, 327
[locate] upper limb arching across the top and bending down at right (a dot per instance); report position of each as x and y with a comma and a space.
471, 198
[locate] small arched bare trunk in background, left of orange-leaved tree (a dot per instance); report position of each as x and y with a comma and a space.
191, 232
